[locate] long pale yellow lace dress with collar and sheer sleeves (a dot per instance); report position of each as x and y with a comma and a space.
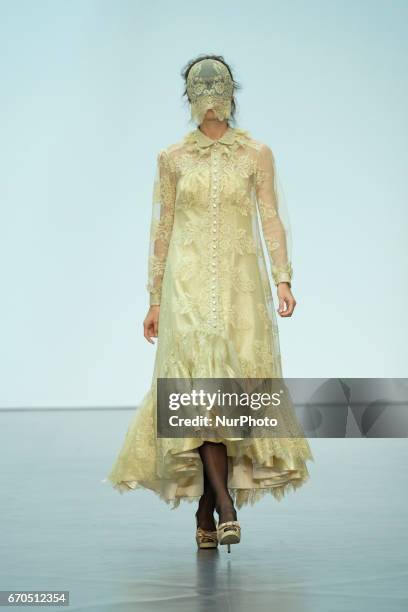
208, 272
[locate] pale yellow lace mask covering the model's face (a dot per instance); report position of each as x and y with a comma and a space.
209, 86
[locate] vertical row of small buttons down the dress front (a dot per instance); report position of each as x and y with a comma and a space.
214, 234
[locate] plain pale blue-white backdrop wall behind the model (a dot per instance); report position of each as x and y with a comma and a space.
91, 90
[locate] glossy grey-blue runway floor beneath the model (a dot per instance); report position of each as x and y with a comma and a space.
338, 544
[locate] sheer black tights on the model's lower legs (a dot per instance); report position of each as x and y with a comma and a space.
216, 495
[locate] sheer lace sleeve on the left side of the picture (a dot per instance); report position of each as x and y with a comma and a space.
164, 193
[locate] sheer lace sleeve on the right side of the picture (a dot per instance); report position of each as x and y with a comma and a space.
274, 216
